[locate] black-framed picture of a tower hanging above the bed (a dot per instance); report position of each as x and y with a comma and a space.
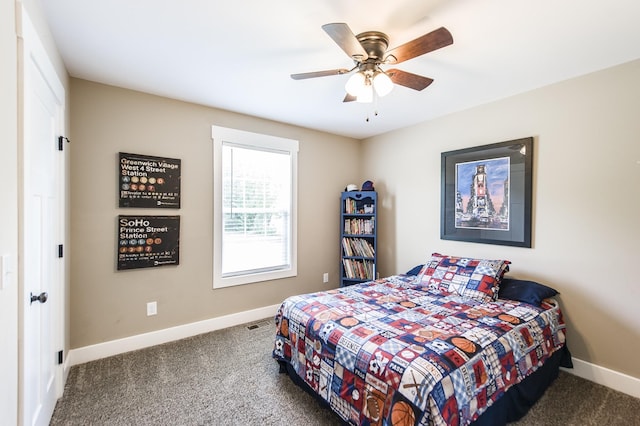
486, 193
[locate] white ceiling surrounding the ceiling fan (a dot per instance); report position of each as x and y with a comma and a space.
238, 55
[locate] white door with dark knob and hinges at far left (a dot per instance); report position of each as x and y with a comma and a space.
41, 232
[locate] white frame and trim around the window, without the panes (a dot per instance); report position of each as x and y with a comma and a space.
221, 135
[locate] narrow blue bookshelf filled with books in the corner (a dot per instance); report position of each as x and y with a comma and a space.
358, 245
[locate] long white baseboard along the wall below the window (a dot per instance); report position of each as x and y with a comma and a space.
141, 341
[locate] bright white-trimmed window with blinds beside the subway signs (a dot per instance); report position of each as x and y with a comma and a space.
254, 212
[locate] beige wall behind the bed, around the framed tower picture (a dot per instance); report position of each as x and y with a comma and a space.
586, 207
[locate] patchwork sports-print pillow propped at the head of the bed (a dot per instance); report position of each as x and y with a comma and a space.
473, 278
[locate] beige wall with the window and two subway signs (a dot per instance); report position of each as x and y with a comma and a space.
107, 304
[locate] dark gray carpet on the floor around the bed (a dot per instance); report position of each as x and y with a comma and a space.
228, 377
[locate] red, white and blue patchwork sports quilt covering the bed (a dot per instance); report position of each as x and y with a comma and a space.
389, 352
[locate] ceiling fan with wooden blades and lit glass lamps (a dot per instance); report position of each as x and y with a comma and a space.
369, 51
